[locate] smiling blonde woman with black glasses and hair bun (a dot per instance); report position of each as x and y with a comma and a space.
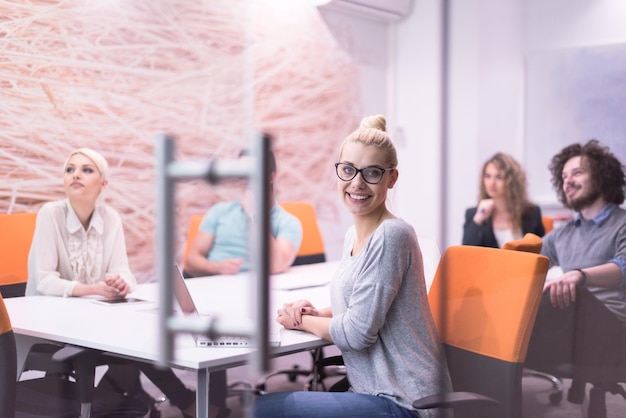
379, 316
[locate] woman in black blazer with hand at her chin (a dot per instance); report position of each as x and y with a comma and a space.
504, 212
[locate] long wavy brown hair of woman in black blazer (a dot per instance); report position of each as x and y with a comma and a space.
515, 187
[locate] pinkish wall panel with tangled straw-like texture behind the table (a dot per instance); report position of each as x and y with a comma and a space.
111, 74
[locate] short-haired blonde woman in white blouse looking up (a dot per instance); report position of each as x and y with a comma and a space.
79, 249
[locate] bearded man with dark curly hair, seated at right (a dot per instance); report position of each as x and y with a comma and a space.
582, 316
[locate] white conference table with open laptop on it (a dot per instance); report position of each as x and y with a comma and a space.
131, 330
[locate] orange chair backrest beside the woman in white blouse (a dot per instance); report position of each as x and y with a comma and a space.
16, 235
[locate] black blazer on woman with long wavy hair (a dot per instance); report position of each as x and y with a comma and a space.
482, 235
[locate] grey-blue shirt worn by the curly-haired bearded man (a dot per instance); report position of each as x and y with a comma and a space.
580, 244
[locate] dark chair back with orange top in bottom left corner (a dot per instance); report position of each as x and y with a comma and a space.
8, 364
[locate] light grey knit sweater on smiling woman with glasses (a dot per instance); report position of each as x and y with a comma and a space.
382, 321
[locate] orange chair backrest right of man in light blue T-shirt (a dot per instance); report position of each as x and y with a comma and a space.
312, 247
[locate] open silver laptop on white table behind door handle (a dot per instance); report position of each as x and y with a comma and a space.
188, 307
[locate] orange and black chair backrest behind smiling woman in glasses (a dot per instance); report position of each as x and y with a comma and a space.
484, 301
